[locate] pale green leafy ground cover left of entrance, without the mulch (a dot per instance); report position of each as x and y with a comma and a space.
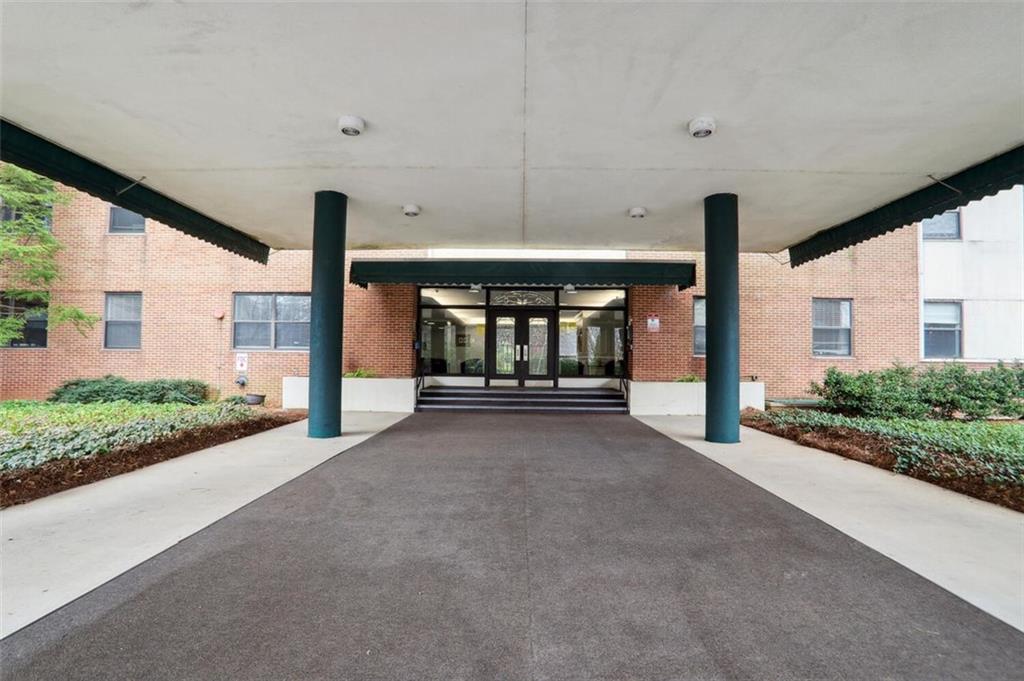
32, 433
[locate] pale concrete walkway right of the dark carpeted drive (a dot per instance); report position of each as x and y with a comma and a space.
972, 548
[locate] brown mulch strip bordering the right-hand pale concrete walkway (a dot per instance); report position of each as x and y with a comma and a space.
875, 451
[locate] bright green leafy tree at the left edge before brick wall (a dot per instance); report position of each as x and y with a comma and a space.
29, 251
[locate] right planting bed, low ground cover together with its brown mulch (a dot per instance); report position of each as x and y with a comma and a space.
982, 459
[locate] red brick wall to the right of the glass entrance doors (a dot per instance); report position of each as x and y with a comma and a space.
880, 276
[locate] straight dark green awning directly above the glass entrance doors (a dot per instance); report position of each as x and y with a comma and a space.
525, 273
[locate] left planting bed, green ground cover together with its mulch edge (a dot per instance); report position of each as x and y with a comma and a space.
50, 447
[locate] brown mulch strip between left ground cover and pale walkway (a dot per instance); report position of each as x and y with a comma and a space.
26, 485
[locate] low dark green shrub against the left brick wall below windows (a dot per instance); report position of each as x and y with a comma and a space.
115, 389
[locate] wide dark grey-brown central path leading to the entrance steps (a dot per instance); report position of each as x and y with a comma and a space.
518, 547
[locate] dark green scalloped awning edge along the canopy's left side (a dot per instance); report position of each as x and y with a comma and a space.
31, 152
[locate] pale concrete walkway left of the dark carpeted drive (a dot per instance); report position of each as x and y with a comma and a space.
58, 548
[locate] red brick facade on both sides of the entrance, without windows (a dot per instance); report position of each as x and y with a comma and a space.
185, 282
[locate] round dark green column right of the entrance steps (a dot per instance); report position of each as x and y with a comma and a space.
722, 310
